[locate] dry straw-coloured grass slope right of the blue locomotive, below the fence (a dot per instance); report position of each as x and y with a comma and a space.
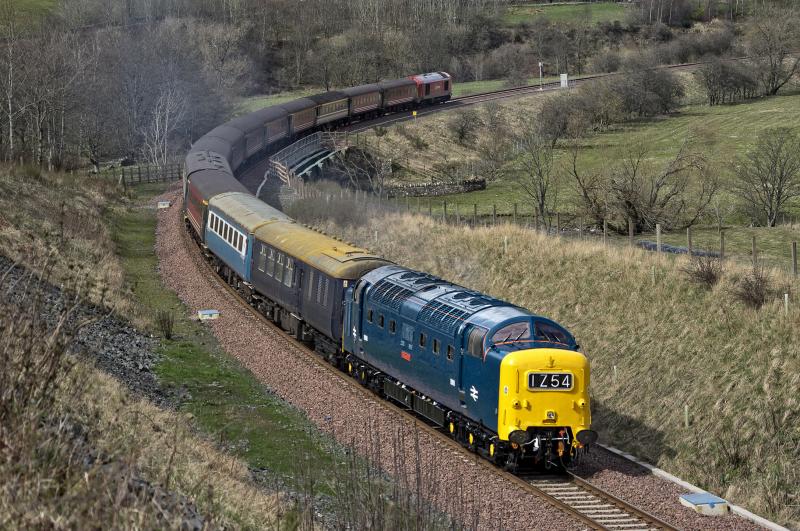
673, 344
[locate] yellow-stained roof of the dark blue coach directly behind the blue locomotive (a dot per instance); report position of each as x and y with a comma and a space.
334, 258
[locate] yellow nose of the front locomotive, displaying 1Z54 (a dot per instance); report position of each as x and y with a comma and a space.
543, 388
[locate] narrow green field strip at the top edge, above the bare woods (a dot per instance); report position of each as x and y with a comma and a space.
566, 13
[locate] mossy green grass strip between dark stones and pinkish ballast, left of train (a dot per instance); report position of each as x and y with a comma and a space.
226, 400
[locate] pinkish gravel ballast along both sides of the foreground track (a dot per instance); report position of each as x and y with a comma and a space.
453, 481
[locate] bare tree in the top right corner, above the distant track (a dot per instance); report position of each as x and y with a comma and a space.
774, 37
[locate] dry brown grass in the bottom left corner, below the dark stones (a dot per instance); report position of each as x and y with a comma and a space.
77, 451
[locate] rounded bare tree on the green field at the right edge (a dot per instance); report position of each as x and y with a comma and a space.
769, 176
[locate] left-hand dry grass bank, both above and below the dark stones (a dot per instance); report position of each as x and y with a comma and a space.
54, 224
